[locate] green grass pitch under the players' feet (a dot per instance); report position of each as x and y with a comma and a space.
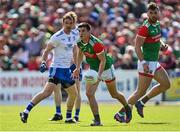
157, 118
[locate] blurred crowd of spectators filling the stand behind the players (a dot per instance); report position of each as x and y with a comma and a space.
26, 26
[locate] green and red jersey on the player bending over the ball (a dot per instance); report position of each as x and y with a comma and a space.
91, 50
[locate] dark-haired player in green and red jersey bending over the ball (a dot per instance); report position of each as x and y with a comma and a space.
93, 49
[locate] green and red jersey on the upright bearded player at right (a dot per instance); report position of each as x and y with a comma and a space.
152, 34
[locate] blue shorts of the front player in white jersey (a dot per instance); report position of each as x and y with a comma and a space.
62, 76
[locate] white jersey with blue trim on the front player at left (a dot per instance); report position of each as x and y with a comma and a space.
63, 51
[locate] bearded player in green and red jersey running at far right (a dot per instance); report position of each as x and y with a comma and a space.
147, 47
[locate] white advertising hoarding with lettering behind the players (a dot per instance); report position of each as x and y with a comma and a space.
20, 87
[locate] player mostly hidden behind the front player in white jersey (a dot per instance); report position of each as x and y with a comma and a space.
57, 92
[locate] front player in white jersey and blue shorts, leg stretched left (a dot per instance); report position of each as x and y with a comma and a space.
62, 43
